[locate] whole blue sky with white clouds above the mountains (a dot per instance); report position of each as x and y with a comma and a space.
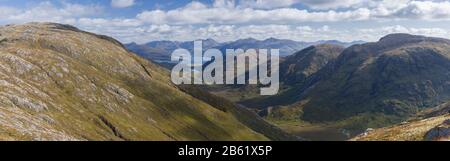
226, 20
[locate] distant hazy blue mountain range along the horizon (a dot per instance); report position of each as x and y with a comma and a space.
160, 51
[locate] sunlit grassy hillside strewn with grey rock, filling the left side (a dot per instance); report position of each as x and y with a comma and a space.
60, 83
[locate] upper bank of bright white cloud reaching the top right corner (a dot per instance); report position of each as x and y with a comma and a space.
198, 13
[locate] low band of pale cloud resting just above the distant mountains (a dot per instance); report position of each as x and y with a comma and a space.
142, 33
